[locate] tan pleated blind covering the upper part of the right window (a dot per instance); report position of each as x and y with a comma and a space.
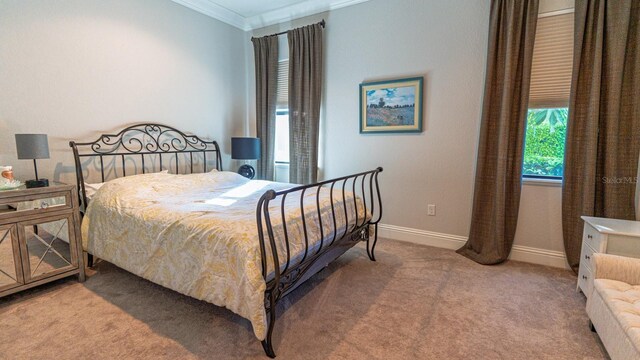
552, 62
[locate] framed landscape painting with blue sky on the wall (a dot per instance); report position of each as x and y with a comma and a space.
393, 106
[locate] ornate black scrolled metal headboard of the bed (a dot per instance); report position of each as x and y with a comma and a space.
118, 153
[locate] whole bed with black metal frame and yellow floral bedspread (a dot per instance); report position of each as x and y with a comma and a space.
166, 211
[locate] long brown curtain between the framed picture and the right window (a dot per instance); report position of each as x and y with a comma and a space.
499, 165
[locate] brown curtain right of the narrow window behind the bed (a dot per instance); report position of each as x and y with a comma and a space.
305, 89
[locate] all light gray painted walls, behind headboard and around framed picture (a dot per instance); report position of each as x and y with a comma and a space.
74, 69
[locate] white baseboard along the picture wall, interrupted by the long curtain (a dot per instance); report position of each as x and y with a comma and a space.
453, 242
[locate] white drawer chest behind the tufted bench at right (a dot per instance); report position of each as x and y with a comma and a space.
611, 236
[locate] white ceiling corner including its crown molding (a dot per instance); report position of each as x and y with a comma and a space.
254, 14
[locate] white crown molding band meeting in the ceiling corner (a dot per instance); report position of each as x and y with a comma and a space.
288, 13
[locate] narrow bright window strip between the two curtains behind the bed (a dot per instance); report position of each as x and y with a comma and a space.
281, 154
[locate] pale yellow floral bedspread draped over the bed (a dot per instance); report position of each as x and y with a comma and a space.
197, 234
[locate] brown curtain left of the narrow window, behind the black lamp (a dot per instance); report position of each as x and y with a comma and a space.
266, 60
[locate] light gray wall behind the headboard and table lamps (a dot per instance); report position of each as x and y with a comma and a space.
74, 69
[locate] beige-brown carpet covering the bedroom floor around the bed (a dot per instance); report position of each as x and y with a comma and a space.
415, 302
